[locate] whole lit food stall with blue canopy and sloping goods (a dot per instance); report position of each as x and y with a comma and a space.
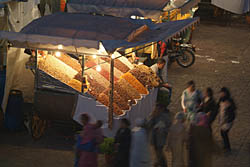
78, 67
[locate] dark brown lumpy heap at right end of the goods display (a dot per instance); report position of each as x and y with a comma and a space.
145, 75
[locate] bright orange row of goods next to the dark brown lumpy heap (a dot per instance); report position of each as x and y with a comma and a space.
135, 83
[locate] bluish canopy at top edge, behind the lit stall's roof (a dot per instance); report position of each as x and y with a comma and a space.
151, 8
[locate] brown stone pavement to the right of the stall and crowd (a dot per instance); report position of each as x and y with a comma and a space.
223, 59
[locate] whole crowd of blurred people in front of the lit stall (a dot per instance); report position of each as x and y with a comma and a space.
188, 138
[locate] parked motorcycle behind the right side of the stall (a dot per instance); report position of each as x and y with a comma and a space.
182, 53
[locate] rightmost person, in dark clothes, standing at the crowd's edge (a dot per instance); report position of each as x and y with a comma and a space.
226, 108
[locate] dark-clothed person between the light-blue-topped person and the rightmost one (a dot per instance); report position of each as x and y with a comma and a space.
209, 106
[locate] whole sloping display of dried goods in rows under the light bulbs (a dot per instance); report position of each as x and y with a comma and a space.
129, 82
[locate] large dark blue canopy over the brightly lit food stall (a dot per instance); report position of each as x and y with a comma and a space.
84, 33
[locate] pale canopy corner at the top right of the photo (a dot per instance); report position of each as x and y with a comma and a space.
234, 6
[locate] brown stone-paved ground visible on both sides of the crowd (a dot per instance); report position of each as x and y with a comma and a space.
223, 59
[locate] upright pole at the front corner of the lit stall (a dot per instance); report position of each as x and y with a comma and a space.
111, 94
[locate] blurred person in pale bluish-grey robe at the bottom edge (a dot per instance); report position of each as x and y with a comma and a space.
140, 151
